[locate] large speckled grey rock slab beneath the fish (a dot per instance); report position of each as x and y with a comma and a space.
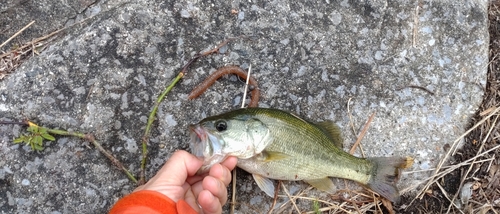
318, 59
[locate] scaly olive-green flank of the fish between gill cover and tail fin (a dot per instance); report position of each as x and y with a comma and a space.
324, 153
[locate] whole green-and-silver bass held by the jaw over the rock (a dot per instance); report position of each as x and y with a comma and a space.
273, 144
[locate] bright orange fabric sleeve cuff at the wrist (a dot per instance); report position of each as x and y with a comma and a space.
151, 202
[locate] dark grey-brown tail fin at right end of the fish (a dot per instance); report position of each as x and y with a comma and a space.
385, 175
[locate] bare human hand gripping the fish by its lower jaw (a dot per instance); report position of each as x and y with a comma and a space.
177, 180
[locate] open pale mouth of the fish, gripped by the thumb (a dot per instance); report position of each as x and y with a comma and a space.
202, 143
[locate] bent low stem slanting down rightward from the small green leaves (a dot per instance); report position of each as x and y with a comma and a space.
97, 145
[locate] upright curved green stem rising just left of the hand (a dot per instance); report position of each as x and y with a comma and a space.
151, 119
